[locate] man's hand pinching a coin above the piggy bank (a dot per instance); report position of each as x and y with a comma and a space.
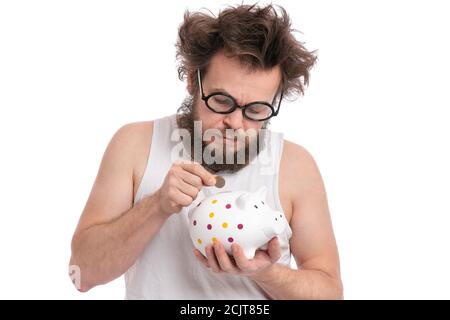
181, 186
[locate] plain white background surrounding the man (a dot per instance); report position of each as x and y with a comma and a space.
375, 118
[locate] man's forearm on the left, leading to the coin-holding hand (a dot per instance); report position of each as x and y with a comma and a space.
104, 252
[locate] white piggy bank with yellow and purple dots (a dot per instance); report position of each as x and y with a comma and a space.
235, 217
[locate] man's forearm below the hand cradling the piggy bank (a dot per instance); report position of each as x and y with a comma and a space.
283, 283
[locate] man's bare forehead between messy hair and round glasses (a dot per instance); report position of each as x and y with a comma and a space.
229, 74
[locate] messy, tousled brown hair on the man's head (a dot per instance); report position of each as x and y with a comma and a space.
261, 38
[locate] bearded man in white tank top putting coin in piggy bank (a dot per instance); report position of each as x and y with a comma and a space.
238, 67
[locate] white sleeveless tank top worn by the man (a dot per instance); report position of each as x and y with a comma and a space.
168, 268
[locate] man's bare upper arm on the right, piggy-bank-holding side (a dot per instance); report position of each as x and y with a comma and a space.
312, 244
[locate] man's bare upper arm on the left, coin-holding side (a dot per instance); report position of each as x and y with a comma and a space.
112, 192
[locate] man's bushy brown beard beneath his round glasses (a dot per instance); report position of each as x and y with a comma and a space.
186, 118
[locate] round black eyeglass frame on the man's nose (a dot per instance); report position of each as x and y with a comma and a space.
237, 105
